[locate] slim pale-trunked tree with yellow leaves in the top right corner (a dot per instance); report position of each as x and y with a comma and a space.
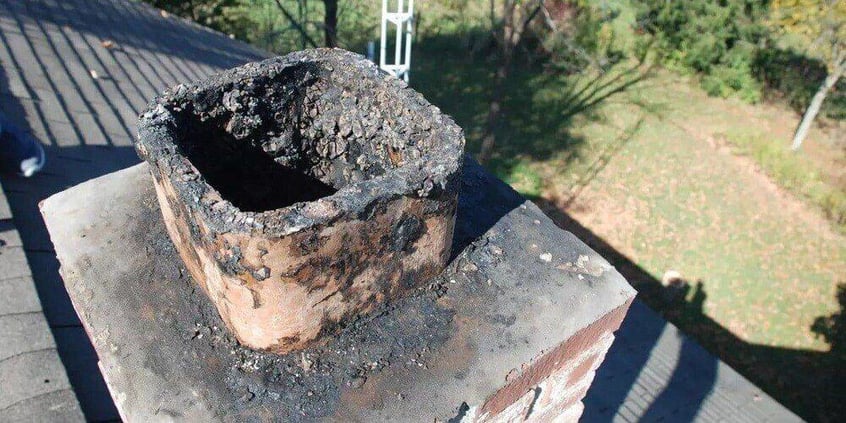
824, 21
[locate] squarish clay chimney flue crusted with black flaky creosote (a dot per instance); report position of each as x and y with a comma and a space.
310, 188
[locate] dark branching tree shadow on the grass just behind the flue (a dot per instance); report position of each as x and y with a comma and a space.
539, 104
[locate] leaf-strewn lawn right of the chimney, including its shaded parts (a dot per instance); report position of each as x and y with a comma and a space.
648, 162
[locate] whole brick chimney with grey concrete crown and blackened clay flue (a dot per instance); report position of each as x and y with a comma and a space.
316, 202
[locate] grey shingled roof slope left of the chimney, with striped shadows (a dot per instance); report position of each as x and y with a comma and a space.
75, 73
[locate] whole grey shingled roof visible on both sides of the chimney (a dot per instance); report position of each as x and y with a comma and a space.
76, 73
